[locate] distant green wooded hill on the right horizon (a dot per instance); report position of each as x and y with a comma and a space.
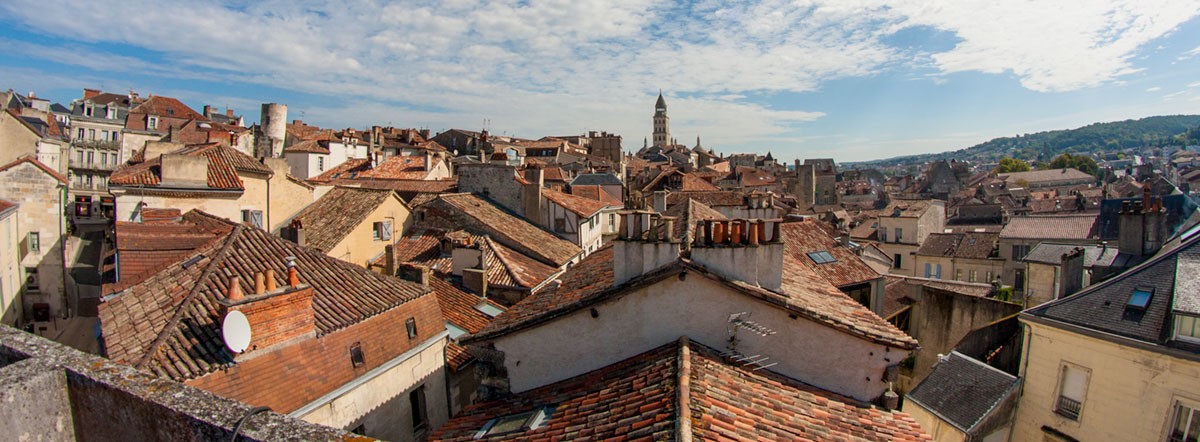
1167, 130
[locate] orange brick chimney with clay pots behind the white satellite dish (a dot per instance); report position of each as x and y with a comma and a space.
278, 314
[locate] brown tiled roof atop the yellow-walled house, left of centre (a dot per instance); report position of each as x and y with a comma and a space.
328, 220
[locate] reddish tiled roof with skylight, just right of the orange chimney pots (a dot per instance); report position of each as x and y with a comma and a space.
813, 236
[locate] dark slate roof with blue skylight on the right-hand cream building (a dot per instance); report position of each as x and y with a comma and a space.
1103, 307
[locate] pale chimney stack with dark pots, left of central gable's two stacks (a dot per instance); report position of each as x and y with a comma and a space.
645, 243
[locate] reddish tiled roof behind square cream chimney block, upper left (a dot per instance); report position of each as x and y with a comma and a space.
225, 168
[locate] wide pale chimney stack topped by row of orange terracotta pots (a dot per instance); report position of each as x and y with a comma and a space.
746, 250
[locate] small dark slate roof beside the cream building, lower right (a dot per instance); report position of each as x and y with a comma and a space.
963, 391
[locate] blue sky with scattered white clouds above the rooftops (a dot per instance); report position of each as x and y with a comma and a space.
850, 80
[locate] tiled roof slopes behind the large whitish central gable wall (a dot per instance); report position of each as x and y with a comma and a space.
803, 292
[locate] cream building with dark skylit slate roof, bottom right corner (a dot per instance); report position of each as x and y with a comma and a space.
1120, 361
